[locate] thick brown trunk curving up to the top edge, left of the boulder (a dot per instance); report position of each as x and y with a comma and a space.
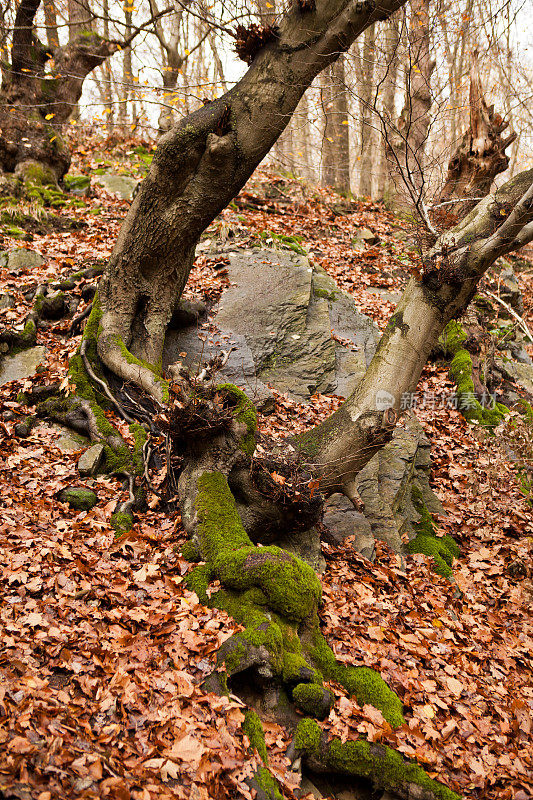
198, 167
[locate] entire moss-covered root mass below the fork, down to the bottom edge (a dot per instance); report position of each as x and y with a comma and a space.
279, 662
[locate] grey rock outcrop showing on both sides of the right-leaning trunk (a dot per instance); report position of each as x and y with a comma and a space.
281, 315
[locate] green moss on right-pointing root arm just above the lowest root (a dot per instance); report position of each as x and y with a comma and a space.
364, 683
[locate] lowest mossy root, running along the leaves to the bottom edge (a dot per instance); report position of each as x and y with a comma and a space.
386, 768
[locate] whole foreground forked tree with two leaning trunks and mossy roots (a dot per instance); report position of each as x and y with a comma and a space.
234, 511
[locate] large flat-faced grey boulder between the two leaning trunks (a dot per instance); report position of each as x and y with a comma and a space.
281, 315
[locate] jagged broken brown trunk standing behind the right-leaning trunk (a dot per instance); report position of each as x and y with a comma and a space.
480, 156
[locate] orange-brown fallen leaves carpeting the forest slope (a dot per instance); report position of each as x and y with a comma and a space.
104, 649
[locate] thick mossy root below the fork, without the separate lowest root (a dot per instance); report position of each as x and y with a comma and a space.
274, 595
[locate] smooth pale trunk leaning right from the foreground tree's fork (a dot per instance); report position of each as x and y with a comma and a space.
339, 447
